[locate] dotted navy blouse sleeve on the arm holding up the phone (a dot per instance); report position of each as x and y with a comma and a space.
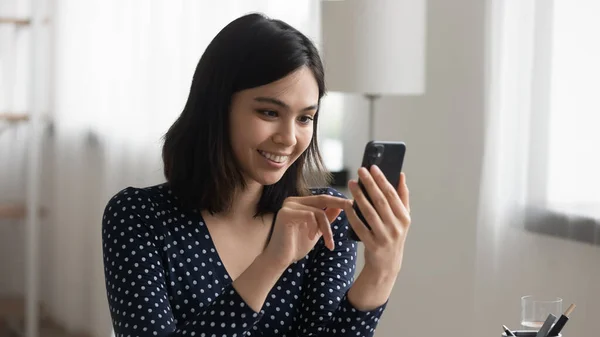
325, 309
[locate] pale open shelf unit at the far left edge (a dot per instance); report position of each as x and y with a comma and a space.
24, 315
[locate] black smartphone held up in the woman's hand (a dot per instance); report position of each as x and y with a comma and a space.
389, 157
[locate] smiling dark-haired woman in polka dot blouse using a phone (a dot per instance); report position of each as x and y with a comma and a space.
235, 242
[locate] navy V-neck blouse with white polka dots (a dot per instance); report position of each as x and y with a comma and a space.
164, 277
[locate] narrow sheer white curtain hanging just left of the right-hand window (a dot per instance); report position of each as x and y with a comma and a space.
510, 109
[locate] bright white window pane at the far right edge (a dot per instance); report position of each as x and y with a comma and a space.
574, 125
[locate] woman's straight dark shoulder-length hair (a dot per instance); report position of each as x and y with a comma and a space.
199, 164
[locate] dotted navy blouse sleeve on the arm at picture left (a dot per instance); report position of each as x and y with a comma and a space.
135, 279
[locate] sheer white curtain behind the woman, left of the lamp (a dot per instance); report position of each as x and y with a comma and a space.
122, 74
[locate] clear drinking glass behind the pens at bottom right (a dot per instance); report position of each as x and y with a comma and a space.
535, 310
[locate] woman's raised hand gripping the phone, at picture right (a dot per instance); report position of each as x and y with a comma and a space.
388, 217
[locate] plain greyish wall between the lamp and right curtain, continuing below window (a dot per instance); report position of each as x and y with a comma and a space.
458, 277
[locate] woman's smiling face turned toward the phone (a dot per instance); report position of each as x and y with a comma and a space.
272, 125
